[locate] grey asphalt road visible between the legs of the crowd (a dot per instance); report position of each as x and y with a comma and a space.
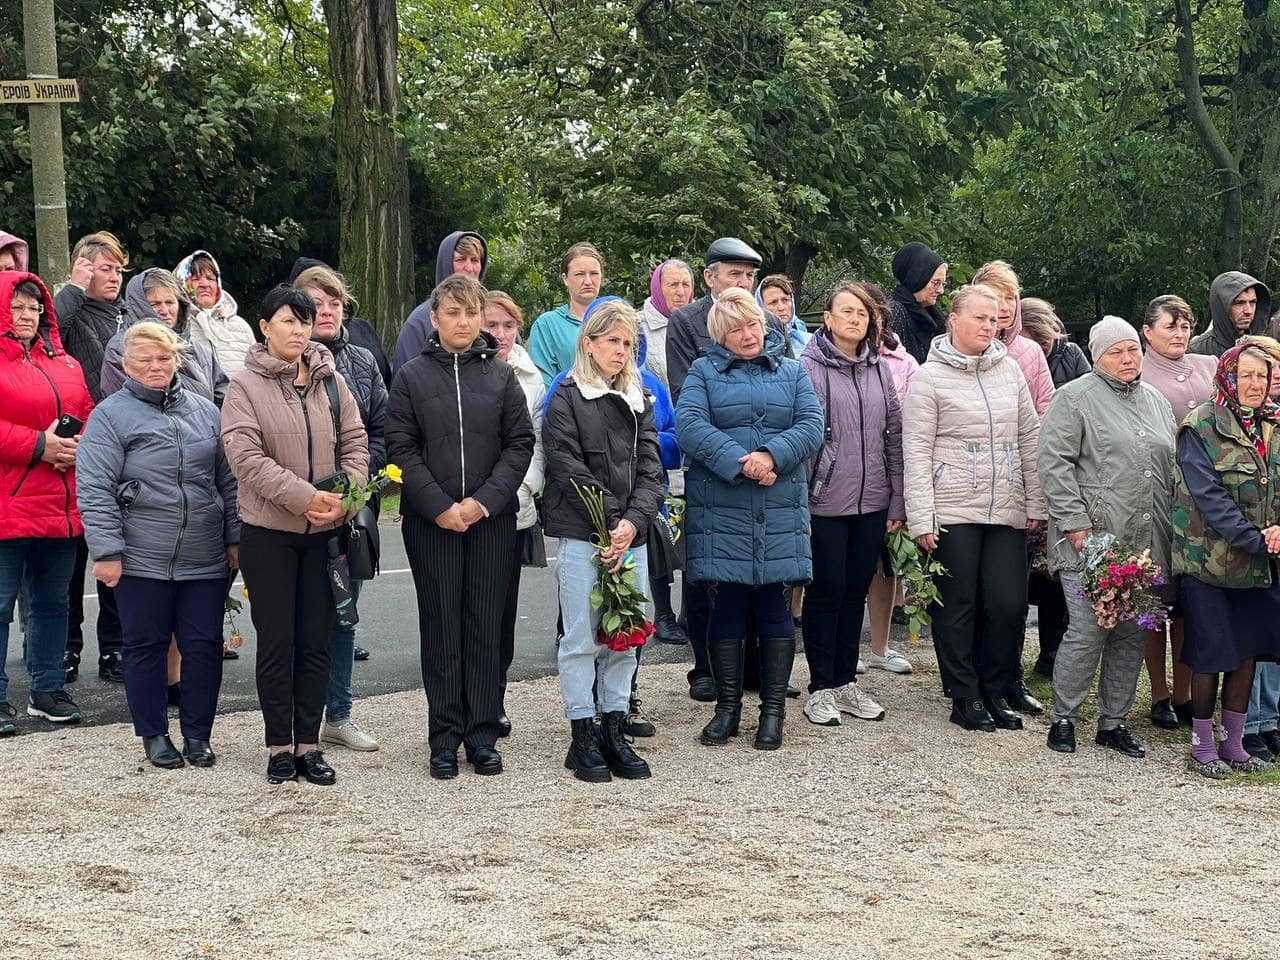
388, 630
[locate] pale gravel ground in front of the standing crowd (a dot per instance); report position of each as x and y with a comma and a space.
902, 839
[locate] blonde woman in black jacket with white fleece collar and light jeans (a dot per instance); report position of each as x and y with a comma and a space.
604, 470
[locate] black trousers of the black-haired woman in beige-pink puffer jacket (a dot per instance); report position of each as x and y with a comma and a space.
292, 610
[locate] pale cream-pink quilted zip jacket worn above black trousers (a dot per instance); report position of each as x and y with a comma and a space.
970, 442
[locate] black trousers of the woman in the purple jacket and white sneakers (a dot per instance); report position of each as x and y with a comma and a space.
845, 554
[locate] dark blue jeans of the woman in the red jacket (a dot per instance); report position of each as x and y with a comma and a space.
49, 564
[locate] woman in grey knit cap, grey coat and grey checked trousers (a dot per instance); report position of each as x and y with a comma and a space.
1107, 459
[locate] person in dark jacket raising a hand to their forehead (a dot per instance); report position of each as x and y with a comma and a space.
90, 313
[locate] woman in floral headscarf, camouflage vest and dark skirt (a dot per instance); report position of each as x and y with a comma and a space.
1226, 545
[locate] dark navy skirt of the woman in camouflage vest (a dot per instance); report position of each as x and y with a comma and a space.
1226, 628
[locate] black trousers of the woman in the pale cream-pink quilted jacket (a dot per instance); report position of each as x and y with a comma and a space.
988, 565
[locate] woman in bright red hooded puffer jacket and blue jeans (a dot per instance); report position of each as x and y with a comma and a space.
43, 395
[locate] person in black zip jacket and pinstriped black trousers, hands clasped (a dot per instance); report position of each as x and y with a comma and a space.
459, 427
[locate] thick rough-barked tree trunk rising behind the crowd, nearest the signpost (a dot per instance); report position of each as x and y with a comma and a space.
376, 240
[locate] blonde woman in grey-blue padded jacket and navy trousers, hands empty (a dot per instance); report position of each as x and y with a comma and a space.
161, 519
